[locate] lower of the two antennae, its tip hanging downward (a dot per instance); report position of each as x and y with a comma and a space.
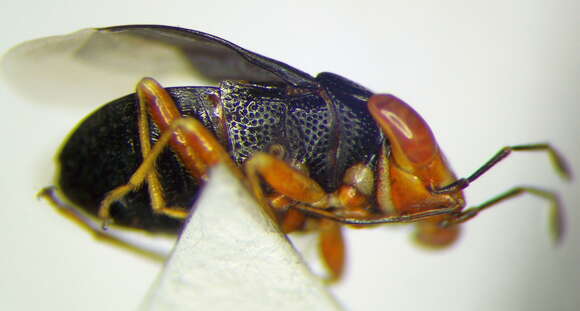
556, 218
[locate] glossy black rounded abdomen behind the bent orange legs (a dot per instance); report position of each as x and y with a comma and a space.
104, 151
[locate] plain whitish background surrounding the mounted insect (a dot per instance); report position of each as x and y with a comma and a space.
483, 74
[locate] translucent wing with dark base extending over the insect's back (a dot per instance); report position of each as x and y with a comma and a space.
101, 64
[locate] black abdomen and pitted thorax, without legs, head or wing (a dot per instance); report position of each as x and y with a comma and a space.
253, 117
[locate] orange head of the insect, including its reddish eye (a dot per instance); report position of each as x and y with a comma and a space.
416, 165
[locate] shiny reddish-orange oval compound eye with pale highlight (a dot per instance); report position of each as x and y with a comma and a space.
413, 144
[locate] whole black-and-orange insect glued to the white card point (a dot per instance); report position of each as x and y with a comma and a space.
317, 152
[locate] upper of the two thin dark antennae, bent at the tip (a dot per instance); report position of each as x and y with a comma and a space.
557, 160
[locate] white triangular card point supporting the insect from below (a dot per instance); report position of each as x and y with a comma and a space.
232, 256
